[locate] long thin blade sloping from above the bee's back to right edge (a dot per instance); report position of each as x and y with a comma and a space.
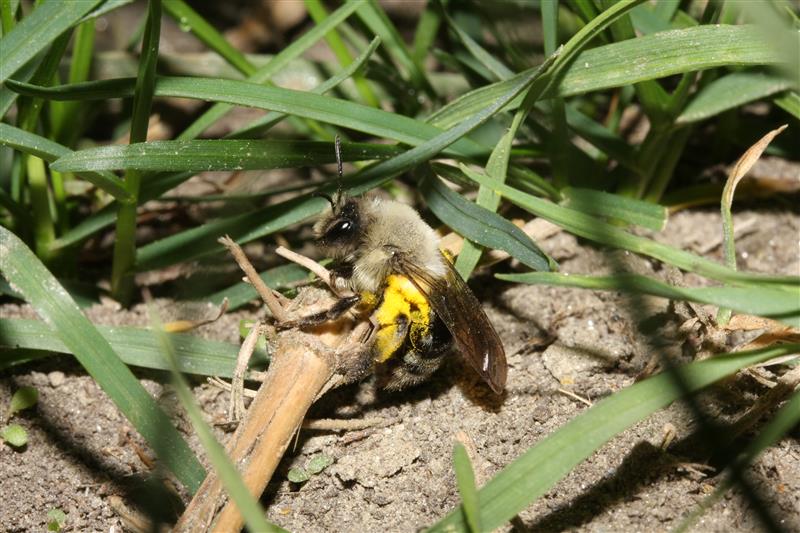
595, 230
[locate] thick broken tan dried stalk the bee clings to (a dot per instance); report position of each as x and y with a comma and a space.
305, 365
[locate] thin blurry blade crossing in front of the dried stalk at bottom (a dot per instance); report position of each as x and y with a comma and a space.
248, 505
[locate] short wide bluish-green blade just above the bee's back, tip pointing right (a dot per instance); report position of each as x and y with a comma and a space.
482, 225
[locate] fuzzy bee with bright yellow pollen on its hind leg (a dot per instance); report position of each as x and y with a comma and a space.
418, 304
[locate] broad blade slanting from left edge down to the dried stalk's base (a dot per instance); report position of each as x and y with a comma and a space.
43, 292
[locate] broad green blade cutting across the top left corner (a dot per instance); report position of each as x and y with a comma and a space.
35, 32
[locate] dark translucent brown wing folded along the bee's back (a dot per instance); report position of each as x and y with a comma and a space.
452, 300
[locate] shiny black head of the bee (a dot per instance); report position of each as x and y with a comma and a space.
340, 230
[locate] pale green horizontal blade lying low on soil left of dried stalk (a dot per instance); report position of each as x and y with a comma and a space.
135, 346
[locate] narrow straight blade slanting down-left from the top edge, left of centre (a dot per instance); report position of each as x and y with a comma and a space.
263, 74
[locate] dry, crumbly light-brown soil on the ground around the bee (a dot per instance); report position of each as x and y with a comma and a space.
564, 347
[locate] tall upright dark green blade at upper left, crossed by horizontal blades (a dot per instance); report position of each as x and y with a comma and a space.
125, 243
